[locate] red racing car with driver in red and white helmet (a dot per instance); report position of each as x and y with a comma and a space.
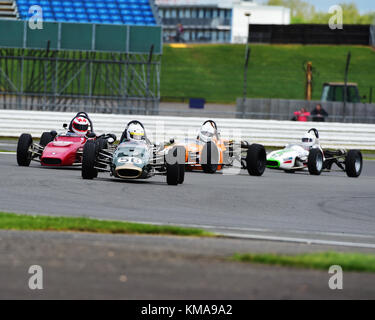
63, 149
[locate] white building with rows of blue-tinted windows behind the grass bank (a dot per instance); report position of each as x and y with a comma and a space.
217, 20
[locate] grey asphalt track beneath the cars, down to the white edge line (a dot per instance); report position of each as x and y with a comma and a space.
277, 202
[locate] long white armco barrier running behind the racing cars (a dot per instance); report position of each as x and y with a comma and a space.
161, 128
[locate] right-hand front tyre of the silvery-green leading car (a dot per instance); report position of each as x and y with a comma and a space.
175, 163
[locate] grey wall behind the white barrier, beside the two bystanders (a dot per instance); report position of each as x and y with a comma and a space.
279, 109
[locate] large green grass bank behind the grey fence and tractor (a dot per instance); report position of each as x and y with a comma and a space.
215, 72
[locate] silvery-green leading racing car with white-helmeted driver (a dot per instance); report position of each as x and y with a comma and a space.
135, 157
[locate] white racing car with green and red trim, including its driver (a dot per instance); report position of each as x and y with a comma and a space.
310, 155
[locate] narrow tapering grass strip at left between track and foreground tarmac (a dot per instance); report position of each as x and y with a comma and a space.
11, 221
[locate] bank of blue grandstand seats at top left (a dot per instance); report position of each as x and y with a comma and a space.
131, 12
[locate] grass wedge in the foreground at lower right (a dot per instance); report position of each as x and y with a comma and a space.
322, 261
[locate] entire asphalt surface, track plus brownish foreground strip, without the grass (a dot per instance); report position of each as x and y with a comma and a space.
278, 212
